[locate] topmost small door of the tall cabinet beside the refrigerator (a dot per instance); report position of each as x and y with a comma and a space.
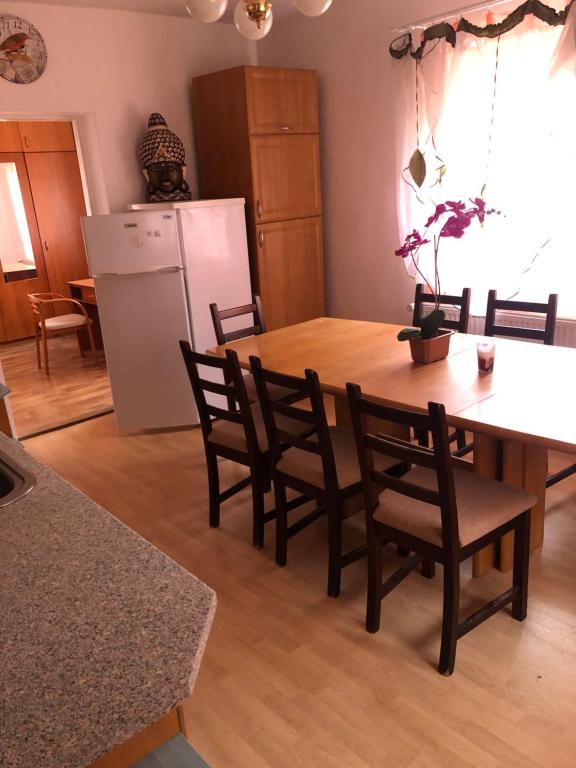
281, 100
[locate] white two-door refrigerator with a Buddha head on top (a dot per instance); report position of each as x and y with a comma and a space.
156, 270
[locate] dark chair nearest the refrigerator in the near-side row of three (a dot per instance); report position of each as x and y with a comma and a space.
235, 432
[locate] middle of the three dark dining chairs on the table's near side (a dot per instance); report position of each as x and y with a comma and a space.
323, 467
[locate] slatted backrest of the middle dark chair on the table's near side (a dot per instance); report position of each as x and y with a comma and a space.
318, 442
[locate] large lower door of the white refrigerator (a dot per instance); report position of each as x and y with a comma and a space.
143, 317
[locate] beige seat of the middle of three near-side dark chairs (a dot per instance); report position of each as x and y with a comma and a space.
308, 467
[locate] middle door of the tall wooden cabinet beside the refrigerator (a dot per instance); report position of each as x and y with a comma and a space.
286, 177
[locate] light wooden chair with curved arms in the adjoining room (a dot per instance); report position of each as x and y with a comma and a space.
46, 325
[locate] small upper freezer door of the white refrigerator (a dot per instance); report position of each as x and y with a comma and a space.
124, 243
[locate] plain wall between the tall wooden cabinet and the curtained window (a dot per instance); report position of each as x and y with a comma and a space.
349, 50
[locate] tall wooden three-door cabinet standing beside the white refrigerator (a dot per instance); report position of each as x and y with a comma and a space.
256, 132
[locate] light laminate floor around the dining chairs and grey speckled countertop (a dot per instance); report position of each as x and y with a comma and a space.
290, 677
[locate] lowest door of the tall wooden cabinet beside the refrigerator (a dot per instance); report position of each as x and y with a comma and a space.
291, 271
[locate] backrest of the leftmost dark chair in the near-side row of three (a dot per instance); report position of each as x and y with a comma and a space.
238, 410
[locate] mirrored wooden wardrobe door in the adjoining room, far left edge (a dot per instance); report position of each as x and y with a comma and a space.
17, 318
